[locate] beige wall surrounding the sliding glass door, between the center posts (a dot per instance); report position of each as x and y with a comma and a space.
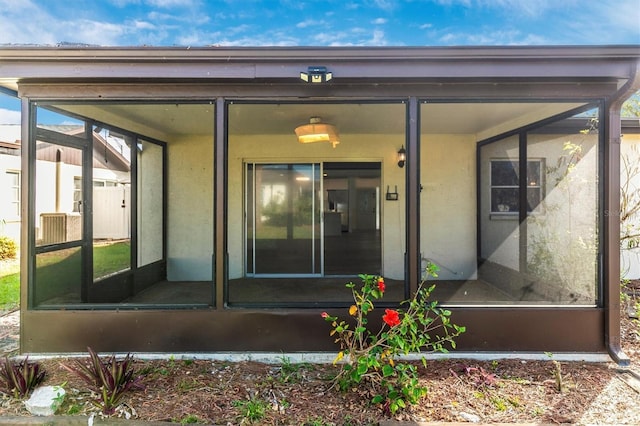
285, 148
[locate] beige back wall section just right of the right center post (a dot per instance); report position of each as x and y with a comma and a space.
448, 204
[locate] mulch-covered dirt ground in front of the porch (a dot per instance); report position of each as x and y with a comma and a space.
500, 391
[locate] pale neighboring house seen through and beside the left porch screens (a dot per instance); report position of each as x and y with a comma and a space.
57, 216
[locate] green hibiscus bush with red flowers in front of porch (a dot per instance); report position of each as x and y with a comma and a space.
373, 361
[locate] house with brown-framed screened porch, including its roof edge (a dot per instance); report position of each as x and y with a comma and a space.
263, 179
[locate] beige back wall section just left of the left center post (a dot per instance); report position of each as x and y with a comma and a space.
190, 209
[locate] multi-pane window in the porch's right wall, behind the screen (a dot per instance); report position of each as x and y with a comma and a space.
505, 183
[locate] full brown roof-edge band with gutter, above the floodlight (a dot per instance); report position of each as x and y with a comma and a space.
346, 63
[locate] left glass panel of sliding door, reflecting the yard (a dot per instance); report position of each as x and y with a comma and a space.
283, 226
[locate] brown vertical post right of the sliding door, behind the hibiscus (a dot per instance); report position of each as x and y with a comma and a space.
412, 177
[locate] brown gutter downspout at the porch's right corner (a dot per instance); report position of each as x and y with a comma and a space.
613, 107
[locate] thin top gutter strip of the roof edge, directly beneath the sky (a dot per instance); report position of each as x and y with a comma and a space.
259, 54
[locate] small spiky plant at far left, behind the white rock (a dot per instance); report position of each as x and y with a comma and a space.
20, 377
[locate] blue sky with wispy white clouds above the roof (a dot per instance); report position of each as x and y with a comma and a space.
198, 23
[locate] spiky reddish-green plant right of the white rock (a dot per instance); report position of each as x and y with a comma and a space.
110, 378
